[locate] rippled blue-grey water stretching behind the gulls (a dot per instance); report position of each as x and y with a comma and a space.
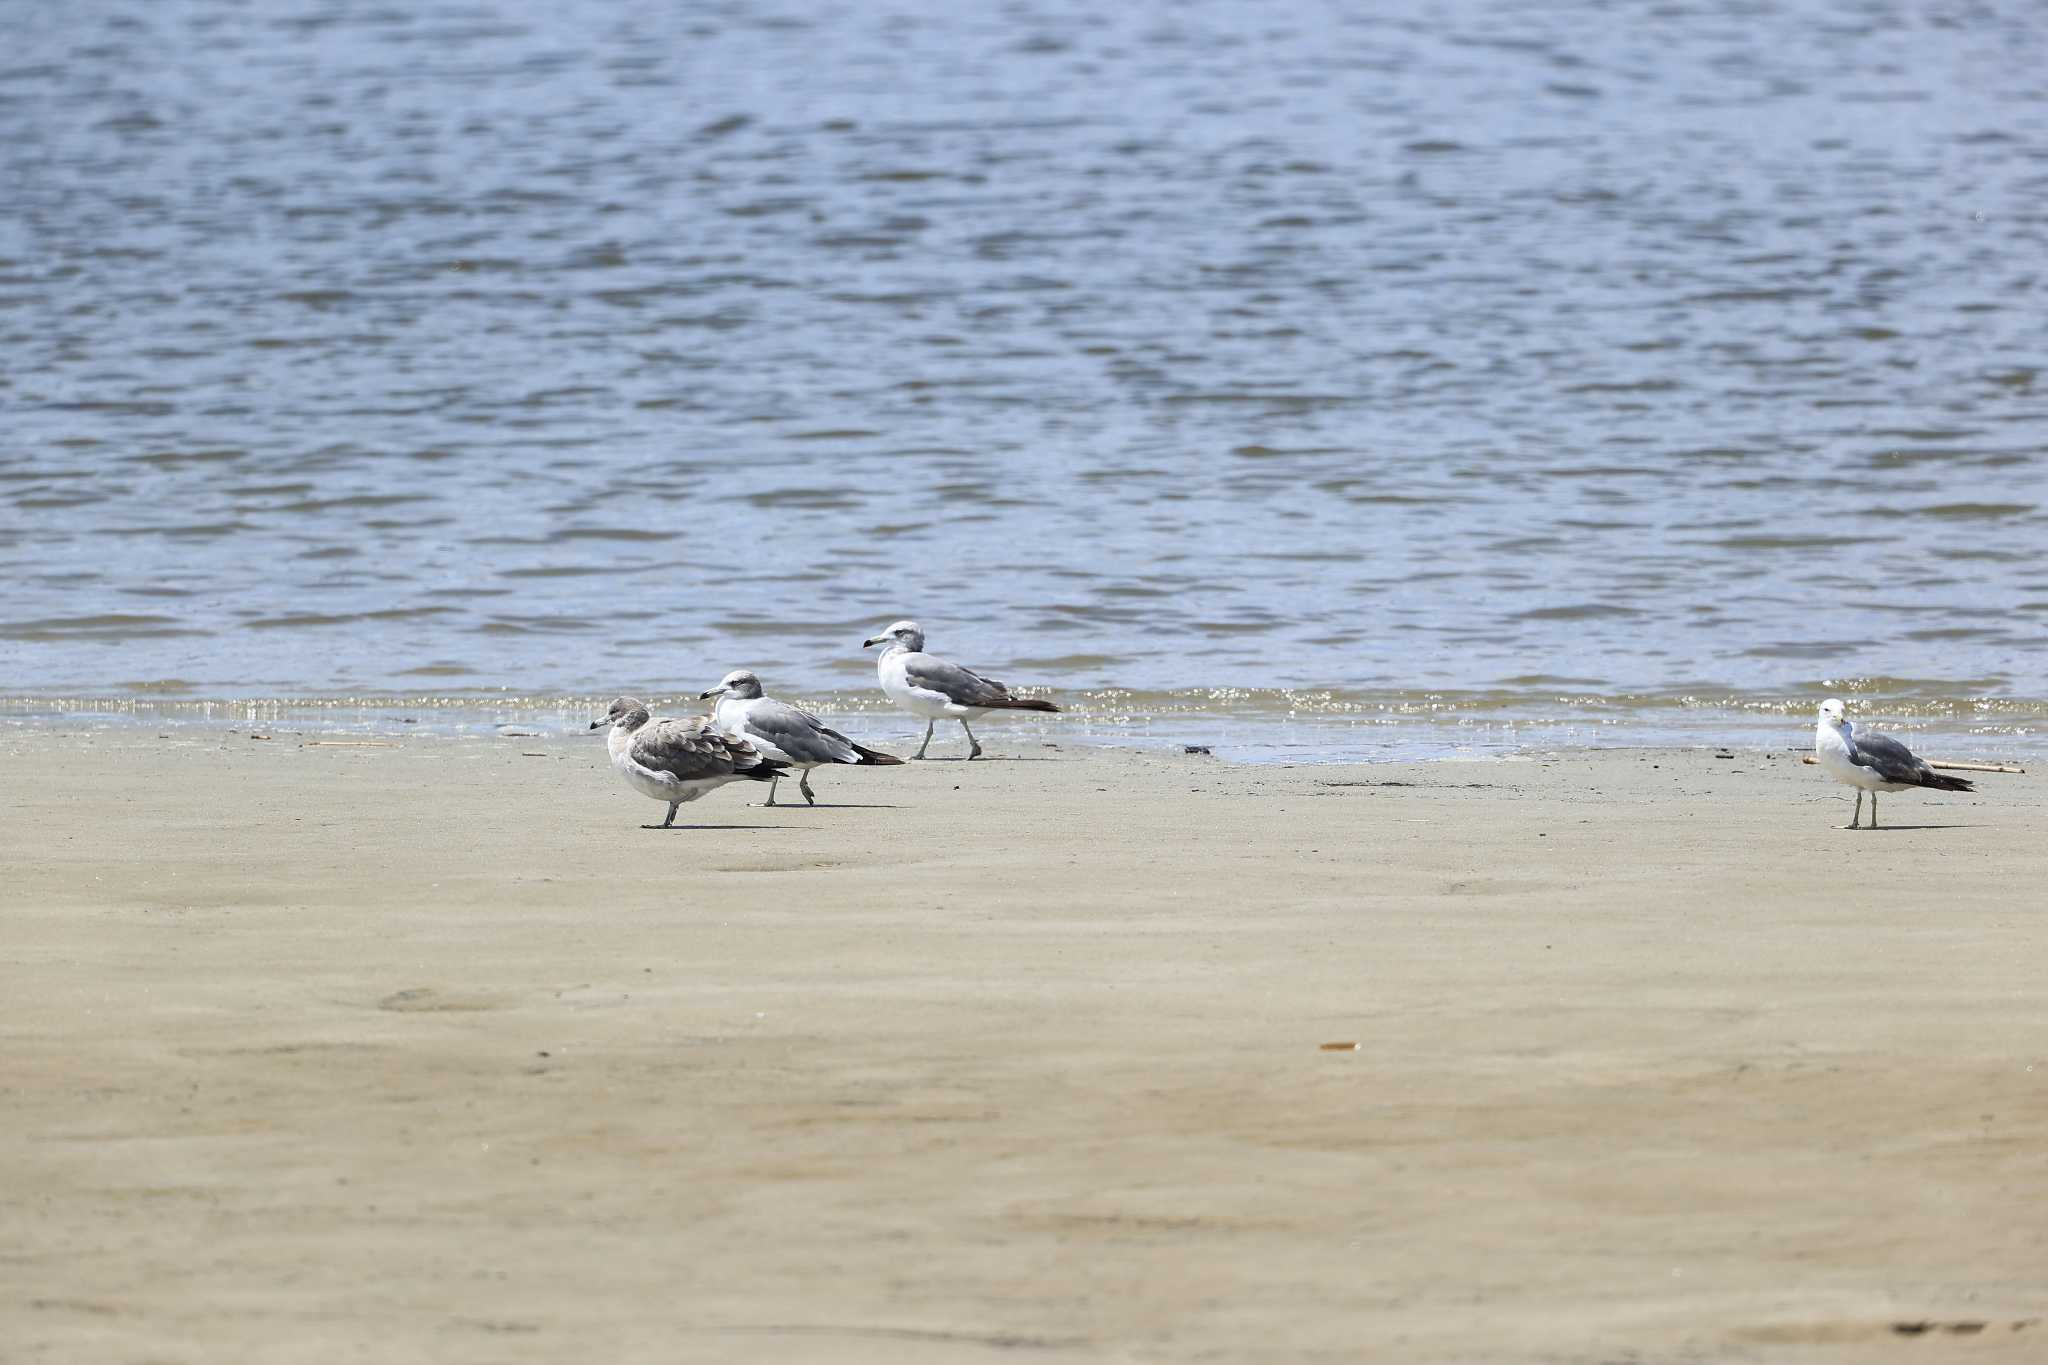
1558, 355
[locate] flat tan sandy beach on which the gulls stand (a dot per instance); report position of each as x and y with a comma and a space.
435, 1055
